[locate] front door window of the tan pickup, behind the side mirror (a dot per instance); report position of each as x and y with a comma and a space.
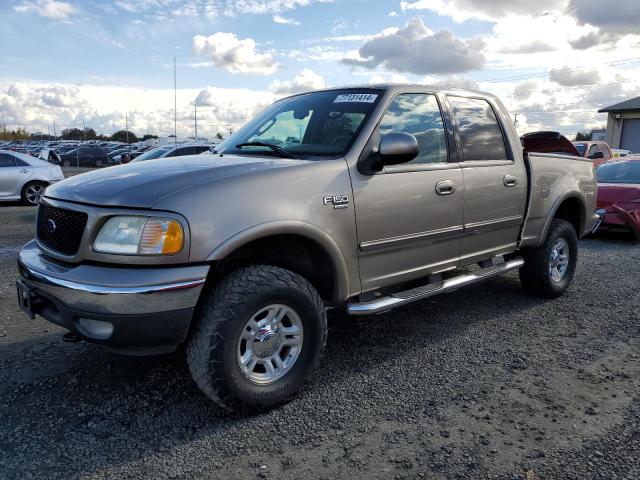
418, 114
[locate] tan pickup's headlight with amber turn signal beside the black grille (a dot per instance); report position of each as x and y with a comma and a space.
140, 236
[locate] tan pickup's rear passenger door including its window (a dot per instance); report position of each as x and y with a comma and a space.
495, 191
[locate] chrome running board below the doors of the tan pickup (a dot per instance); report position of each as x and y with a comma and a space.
383, 304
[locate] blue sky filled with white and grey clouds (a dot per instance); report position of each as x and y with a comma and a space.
552, 62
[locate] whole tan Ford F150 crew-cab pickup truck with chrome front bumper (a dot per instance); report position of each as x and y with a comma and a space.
362, 198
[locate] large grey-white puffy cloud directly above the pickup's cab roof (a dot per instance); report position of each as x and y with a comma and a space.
417, 49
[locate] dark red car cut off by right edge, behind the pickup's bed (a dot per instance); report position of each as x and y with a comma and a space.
619, 194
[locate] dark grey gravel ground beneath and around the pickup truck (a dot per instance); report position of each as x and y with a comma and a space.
481, 383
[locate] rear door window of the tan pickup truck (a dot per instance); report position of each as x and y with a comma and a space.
480, 133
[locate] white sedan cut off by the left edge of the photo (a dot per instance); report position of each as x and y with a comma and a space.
24, 178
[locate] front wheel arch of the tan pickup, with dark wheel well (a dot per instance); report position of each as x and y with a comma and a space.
297, 246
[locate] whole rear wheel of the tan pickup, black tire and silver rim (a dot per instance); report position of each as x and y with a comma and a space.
548, 270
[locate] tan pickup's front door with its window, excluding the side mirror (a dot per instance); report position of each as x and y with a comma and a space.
410, 217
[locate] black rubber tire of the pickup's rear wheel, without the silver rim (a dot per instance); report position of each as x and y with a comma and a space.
534, 274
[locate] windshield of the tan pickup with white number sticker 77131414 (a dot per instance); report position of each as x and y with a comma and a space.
321, 124
